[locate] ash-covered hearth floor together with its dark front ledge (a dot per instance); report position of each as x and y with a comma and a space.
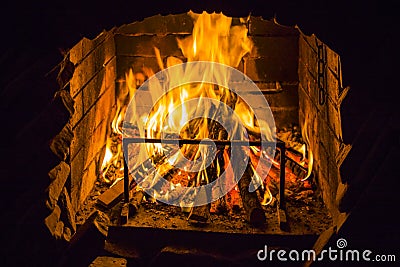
157, 229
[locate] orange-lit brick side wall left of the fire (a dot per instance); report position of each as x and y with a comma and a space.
92, 88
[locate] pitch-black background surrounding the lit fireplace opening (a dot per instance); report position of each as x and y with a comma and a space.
363, 33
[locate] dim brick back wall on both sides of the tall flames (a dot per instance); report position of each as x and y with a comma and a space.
273, 59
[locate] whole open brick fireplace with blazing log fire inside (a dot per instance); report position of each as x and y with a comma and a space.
104, 179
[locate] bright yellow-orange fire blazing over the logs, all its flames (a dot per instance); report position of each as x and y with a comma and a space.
190, 111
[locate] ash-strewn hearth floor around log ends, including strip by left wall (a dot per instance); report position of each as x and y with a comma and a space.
306, 216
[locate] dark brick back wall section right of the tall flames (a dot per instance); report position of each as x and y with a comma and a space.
275, 59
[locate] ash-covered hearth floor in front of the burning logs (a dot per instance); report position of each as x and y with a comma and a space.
312, 218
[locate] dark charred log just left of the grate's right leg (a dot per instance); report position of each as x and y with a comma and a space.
251, 203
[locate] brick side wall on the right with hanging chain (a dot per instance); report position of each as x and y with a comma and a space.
322, 113
